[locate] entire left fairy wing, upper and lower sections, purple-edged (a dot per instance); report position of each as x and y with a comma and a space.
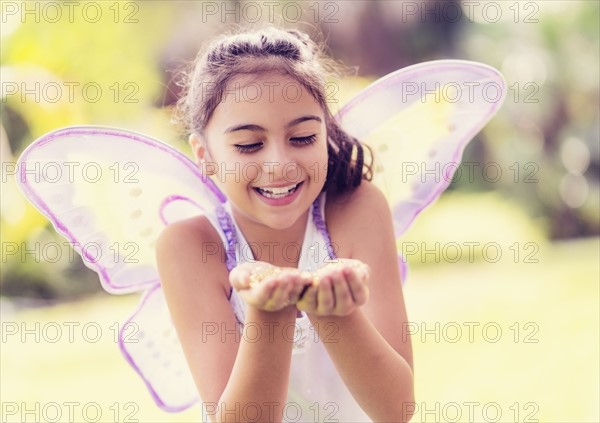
109, 192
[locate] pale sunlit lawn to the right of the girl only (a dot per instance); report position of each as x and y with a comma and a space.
547, 371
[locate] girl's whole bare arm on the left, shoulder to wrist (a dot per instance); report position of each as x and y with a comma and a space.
230, 370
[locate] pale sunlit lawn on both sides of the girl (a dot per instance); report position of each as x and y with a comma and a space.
554, 302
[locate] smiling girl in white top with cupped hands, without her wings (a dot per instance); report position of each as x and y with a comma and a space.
298, 186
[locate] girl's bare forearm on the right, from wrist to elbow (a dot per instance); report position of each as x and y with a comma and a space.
379, 378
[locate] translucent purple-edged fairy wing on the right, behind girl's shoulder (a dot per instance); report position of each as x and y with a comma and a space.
418, 121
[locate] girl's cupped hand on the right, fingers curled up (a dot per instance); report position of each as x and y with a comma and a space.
338, 289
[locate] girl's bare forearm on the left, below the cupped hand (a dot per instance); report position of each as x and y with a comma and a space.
260, 375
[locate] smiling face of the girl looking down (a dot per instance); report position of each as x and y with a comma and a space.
266, 144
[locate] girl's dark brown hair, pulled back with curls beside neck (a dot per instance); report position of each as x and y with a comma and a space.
266, 50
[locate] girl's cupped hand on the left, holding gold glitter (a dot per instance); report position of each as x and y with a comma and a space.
269, 287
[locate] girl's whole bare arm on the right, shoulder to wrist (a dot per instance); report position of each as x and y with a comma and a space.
372, 351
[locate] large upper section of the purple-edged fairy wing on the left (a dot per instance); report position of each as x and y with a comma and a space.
109, 192
